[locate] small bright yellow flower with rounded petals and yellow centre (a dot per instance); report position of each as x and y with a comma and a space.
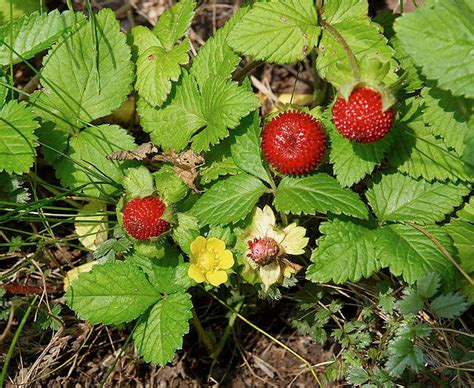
209, 260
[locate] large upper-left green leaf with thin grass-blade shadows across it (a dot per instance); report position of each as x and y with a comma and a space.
86, 77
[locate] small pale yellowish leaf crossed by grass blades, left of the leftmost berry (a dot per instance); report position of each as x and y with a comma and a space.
90, 224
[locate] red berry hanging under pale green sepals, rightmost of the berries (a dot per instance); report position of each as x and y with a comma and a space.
362, 119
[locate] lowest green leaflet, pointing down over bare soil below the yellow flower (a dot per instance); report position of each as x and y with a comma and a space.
160, 332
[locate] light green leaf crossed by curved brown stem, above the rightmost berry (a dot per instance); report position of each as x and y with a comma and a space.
365, 41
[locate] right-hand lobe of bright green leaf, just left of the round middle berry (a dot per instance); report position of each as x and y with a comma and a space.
224, 103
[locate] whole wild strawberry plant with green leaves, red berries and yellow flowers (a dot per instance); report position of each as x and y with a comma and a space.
373, 178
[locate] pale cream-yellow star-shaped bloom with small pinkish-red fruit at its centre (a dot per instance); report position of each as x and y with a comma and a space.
268, 245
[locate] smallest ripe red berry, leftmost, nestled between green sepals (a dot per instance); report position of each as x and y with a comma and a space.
142, 218
